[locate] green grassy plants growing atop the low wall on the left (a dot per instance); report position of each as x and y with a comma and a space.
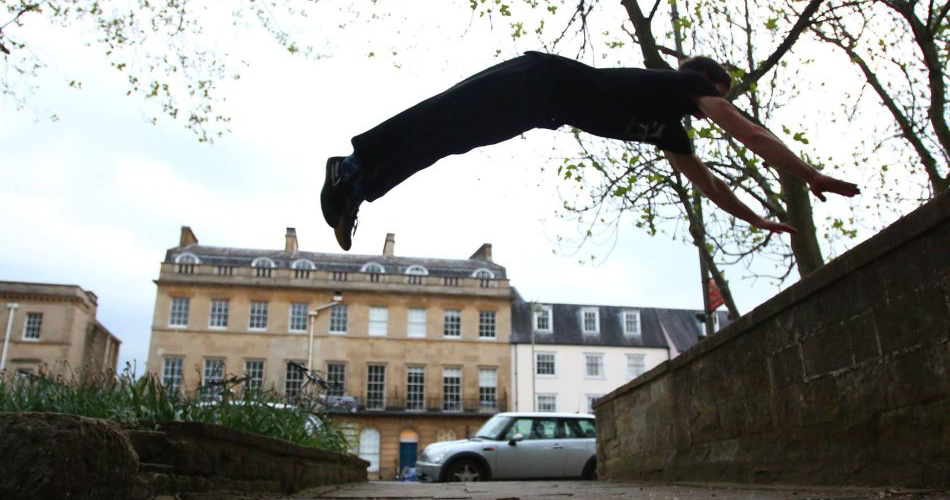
142, 401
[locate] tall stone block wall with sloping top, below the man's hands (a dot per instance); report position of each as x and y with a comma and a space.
842, 379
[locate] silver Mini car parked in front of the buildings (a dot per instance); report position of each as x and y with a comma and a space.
517, 446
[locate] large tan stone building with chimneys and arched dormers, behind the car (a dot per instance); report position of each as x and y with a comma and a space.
416, 350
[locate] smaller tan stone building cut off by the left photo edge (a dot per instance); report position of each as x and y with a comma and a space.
54, 328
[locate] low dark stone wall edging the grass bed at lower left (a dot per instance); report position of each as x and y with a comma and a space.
58, 455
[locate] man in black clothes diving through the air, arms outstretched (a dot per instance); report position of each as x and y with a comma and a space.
547, 91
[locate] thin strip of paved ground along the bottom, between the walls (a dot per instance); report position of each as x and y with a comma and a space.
587, 490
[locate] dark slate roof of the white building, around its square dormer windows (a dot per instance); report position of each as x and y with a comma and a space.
681, 325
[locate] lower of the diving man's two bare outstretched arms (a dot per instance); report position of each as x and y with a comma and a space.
720, 194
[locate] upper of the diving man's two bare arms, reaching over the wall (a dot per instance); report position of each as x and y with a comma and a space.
769, 148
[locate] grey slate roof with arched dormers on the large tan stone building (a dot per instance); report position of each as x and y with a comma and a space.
242, 257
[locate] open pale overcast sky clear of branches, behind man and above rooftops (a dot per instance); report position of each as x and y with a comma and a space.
97, 197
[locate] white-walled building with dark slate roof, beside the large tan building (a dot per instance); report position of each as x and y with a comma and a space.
565, 356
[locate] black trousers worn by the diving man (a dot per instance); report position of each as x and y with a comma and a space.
531, 91
